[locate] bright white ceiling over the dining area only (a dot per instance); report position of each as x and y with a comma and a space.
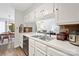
6, 10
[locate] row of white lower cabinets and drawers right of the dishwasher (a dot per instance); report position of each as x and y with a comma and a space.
38, 49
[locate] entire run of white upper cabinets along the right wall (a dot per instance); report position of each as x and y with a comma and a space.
64, 13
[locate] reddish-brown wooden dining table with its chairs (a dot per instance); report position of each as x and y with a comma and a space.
8, 36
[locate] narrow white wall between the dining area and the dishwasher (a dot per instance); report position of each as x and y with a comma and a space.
18, 21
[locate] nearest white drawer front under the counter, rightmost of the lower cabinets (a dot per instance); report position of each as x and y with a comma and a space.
54, 52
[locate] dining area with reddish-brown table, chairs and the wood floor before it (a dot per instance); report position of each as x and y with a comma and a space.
7, 45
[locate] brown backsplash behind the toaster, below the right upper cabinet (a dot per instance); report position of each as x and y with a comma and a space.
68, 28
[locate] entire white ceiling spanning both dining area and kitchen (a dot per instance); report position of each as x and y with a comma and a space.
7, 9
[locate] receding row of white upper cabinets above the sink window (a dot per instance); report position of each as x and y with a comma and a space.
41, 11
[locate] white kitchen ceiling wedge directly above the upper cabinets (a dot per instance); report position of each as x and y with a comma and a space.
25, 6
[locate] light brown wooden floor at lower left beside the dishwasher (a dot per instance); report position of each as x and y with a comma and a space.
5, 51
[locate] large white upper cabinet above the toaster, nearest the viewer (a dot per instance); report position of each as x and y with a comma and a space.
67, 13
